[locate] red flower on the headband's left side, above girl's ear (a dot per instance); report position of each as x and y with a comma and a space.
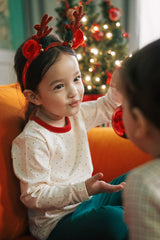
31, 49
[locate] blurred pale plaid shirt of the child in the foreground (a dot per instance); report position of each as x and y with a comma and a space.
141, 202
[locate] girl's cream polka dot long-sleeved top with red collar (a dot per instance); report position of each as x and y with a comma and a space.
52, 164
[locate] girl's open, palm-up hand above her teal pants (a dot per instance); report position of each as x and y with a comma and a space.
95, 185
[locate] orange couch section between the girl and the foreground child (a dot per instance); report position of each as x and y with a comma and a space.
113, 155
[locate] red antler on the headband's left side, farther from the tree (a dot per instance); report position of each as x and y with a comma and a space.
42, 28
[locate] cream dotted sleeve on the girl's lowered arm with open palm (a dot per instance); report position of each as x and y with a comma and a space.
32, 164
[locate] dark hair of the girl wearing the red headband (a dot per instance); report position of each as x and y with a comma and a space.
39, 66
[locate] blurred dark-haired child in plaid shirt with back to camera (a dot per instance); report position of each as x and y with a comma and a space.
140, 88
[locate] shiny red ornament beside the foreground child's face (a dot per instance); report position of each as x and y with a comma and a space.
117, 122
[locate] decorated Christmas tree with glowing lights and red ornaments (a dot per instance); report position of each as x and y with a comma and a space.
105, 44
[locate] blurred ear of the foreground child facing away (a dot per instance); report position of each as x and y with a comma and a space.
142, 125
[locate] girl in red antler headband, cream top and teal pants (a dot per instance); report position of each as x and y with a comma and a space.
51, 156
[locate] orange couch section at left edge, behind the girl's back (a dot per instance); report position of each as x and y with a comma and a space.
13, 217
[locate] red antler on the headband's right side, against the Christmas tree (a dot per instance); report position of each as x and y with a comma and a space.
74, 26
